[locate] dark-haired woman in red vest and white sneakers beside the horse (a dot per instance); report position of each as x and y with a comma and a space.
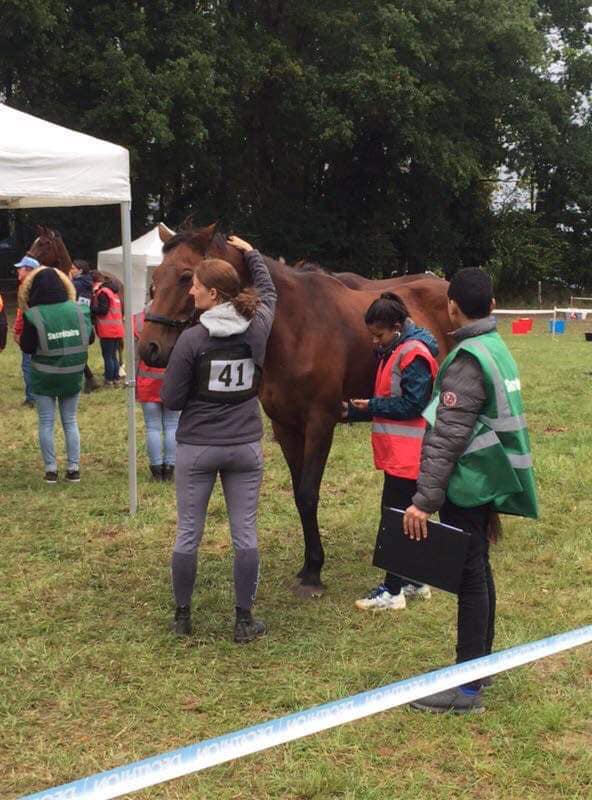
402, 389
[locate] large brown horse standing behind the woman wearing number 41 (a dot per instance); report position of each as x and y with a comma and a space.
319, 353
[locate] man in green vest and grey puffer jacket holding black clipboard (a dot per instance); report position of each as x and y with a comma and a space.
475, 463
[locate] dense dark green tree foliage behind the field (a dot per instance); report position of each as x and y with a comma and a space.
363, 134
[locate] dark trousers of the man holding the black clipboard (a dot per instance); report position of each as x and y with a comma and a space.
476, 597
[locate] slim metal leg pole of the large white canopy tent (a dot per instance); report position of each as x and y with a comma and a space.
130, 381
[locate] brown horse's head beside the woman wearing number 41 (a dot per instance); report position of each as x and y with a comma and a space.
173, 308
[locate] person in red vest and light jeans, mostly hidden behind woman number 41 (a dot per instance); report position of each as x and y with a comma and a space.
161, 423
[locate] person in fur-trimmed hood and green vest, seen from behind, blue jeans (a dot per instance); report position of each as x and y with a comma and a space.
56, 333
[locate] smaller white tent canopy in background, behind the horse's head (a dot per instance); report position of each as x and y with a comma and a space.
146, 255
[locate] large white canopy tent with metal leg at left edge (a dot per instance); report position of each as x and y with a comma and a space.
43, 165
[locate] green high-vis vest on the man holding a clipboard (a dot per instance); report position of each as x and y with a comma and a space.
496, 466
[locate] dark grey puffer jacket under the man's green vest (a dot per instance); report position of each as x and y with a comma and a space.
464, 388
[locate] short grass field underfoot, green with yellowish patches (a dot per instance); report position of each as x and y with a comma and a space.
91, 679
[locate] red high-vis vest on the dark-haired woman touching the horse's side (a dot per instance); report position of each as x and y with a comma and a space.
397, 442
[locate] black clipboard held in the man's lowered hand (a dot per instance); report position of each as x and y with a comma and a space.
437, 560
